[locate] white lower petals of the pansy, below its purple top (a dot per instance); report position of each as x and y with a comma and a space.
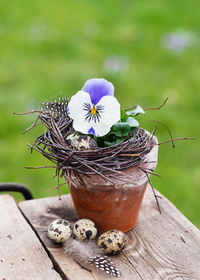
87, 122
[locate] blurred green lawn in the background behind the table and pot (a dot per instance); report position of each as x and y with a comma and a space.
149, 50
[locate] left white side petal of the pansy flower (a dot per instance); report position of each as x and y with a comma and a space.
76, 105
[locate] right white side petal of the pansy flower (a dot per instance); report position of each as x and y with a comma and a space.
111, 111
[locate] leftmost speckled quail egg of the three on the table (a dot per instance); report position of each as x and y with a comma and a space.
59, 230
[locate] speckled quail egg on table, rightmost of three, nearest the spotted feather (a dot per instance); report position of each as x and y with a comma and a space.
112, 241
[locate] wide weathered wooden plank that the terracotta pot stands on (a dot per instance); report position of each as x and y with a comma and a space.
161, 246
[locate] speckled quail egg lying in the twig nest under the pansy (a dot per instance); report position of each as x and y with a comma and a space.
80, 142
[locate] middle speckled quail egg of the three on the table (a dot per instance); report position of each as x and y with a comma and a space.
85, 229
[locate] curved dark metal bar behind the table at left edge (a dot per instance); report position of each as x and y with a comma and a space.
15, 187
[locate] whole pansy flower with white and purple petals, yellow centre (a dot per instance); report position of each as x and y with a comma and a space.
94, 109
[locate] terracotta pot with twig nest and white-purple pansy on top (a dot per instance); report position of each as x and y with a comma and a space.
102, 152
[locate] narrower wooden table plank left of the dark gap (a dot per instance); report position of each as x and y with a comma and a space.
21, 254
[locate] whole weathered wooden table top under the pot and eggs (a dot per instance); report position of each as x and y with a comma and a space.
165, 246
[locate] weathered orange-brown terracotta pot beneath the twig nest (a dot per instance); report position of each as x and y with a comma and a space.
109, 206
